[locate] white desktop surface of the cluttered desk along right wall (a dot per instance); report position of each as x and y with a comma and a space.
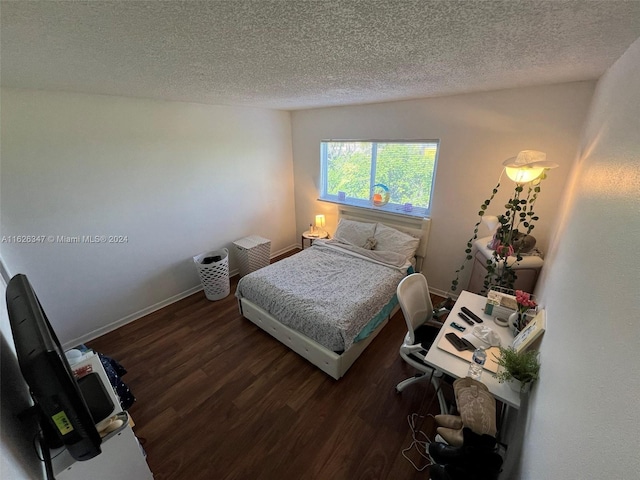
457, 367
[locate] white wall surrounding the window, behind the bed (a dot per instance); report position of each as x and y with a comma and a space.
477, 133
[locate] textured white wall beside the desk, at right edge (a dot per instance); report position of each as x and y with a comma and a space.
583, 421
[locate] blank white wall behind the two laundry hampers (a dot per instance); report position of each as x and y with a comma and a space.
176, 179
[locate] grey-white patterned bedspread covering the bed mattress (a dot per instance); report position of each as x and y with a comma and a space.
328, 292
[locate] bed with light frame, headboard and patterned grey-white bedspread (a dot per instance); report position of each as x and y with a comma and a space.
328, 302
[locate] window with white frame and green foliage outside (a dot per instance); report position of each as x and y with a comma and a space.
393, 176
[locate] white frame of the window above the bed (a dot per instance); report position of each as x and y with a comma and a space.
390, 207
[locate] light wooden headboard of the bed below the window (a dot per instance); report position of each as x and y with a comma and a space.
404, 223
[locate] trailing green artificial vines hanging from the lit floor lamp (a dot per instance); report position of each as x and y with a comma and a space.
519, 215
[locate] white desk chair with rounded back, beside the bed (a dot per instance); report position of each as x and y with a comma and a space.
422, 329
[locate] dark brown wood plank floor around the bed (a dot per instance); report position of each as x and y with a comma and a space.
217, 398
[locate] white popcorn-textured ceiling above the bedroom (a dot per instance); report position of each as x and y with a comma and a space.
293, 54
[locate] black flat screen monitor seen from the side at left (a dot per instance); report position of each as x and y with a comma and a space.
44, 367
